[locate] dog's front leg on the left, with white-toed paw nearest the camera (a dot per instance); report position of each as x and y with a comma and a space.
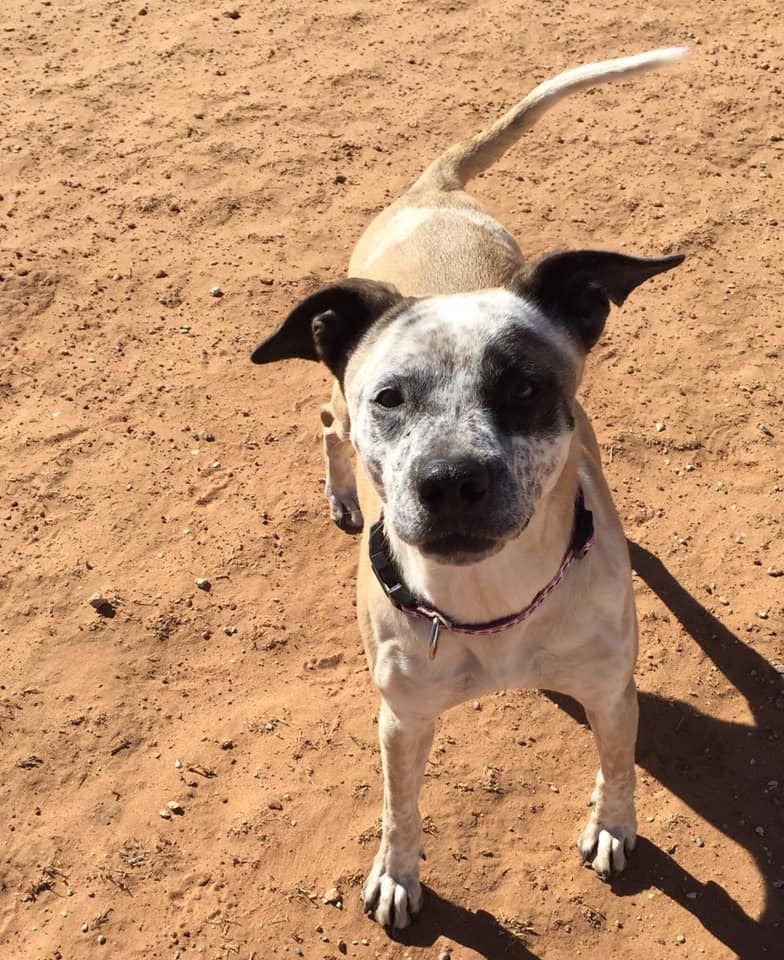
392, 892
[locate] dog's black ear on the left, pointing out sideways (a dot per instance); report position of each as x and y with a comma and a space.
329, 324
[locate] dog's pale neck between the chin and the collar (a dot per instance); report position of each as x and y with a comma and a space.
508, 580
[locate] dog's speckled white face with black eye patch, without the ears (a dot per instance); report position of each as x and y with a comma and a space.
461, 415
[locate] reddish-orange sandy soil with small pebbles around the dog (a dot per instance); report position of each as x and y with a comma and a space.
152, 151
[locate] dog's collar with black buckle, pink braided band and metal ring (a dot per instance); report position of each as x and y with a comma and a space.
393, 585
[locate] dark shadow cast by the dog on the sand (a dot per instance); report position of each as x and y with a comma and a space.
723, 771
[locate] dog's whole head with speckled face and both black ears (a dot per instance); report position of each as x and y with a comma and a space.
462, 406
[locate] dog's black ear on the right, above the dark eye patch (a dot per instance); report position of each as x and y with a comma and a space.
575, 288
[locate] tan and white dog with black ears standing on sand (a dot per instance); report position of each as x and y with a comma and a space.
498, 559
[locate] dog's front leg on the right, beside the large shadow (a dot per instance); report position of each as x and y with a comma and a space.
612, 827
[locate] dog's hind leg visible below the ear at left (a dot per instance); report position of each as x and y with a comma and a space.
340, 485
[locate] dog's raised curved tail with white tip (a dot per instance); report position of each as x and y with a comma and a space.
454, 168
